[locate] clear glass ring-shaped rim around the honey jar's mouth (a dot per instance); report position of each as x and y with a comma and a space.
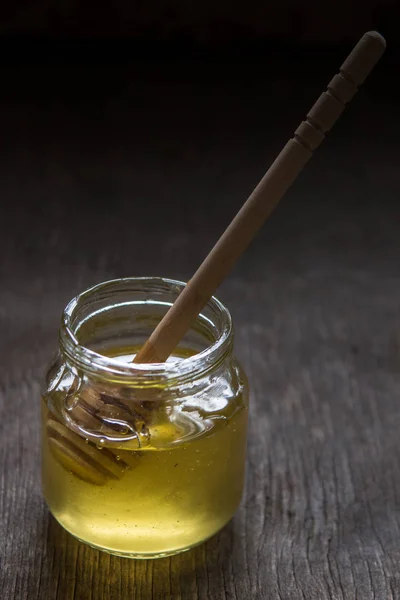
102, 365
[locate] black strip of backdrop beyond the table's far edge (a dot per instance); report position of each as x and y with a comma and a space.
206, 22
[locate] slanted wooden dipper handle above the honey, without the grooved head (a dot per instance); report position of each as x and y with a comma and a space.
263, 200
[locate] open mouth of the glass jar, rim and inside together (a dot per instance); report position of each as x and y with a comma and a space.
123, 312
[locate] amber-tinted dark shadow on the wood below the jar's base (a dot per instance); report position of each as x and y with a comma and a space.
74, 571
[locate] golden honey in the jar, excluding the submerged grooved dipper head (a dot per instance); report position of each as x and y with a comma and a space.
176, 492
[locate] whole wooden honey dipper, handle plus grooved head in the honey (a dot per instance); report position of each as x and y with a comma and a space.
176, 322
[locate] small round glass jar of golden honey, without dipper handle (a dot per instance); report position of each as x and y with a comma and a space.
142, 460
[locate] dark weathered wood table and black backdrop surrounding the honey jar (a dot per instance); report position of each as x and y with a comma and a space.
131, 133
